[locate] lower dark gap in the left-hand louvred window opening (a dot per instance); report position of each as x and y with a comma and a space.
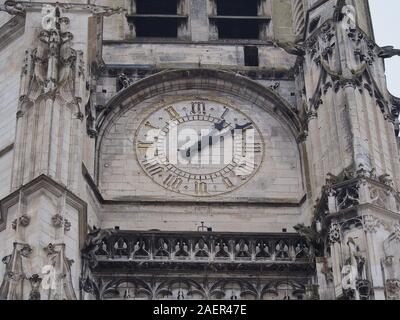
156, 28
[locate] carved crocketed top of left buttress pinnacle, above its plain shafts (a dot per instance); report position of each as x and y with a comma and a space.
58, 69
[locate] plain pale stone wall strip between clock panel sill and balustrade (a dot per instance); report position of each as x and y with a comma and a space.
222, 218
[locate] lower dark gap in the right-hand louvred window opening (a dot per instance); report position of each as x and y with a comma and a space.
238, 29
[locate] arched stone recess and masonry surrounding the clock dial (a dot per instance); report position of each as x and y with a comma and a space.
120, 175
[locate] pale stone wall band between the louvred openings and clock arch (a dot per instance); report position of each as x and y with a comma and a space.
192, 55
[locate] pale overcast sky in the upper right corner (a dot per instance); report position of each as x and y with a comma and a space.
386, 19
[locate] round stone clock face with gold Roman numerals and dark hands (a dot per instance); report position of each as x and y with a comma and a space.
199, 148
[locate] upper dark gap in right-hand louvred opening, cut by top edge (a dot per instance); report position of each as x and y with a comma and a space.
237, 7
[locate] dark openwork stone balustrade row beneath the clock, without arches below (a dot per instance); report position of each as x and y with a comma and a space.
200, 247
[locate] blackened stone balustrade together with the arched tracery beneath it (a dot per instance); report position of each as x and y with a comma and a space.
195, 265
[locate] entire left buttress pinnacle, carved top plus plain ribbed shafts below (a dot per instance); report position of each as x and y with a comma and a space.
53, 84
